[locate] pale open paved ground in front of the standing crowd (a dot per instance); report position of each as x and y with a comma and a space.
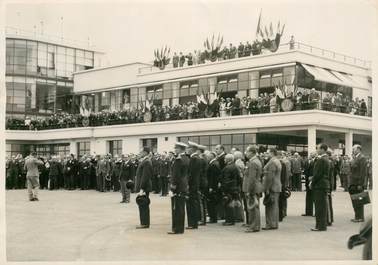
92, 226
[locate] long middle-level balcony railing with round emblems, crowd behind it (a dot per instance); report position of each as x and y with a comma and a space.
175, 113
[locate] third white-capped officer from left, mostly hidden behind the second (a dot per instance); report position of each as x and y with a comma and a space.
203, 184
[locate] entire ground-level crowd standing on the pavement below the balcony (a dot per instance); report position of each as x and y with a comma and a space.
214, 184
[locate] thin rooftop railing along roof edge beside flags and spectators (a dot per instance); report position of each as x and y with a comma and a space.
285, 47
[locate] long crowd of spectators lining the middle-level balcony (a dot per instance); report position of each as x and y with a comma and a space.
222, 107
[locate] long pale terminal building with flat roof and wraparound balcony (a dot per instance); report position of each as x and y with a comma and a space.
300, 67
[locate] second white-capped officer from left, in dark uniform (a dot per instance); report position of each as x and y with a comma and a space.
193, 204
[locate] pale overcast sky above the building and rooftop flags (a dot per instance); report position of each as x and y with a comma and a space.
129, 31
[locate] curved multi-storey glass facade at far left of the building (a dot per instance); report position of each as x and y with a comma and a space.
39, 77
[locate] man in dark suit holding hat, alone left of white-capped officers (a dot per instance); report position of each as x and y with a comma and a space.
144, 187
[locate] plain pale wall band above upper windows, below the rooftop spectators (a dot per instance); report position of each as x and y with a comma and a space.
128, 75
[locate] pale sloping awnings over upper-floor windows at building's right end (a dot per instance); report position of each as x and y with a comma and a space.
334, 77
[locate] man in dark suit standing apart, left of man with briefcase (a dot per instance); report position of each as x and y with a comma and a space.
320, 186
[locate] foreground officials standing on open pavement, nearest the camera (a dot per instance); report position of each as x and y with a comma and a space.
230, 187
